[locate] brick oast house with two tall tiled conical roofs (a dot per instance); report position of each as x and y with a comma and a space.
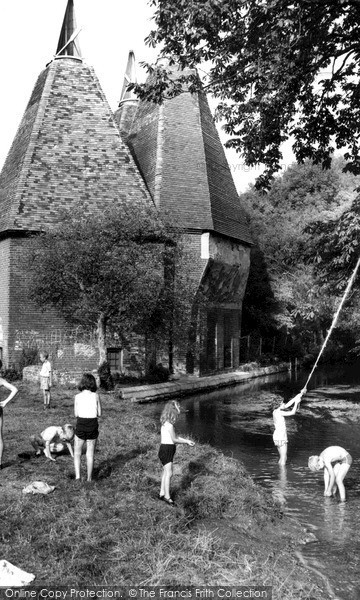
71, 148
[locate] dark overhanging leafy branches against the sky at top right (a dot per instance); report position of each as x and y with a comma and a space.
278, 69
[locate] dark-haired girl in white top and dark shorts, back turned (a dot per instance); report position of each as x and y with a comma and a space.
87, 409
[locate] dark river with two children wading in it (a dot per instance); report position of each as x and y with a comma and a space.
238, 421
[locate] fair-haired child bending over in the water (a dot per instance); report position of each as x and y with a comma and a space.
336, 462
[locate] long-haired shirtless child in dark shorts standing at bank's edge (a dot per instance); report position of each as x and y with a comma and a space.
168, 447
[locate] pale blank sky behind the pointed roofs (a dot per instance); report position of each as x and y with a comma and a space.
110, 28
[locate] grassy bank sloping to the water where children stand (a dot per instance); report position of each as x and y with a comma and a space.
224, 531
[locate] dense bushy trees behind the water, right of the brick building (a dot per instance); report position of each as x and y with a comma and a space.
304, 224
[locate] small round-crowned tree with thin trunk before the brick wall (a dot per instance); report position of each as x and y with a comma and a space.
107, 271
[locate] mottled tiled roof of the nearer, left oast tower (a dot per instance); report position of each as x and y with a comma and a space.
67, 150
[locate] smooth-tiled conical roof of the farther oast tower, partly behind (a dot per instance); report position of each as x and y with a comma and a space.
178, 150
